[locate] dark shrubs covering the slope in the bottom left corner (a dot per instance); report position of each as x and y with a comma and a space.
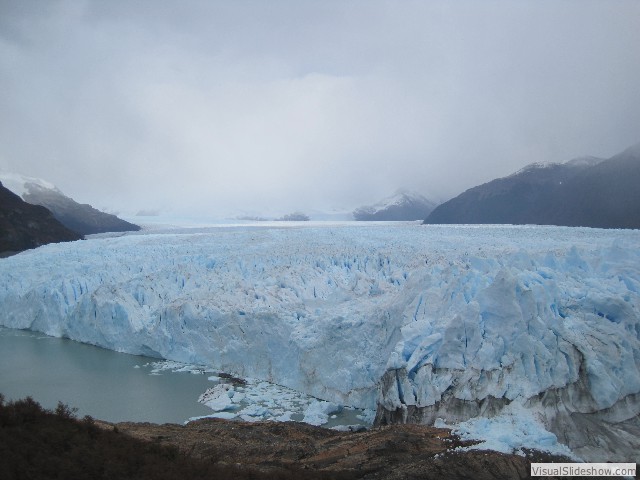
36, 443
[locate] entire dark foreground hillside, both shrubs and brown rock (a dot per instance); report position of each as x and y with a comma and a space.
39, 444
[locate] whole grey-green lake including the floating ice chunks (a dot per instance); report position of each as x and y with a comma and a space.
120, 387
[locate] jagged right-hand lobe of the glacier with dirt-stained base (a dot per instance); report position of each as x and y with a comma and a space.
556, 332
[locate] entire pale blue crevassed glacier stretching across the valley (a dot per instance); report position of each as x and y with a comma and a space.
425, 323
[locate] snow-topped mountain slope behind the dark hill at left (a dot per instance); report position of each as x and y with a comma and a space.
81, 218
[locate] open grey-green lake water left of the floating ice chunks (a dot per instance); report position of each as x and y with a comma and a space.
104, 384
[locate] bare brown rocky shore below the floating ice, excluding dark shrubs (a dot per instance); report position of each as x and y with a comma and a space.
389, 452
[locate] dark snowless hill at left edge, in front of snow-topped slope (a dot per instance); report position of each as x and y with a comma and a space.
24, 226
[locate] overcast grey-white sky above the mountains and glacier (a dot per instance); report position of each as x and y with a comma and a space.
273, 106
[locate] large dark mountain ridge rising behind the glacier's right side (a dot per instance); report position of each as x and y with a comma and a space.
585, 192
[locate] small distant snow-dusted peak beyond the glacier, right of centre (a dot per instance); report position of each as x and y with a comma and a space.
403, 205
